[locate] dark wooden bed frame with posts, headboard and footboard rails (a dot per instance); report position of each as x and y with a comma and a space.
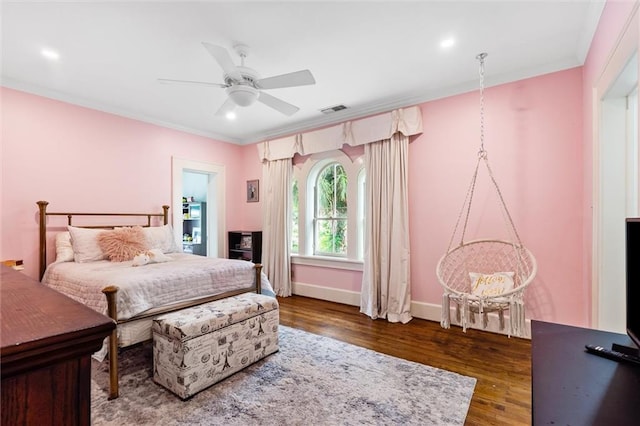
110, 292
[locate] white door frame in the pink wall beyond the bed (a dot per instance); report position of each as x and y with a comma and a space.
216, 197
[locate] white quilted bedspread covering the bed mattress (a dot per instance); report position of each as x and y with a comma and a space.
141, 288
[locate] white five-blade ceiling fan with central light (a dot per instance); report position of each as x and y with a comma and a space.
244, 86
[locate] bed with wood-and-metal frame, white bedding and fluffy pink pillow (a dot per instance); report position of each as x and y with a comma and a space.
95, 267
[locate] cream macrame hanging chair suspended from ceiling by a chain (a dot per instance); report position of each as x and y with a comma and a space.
485, 261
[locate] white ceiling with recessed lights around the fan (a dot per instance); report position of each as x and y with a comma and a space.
372, 56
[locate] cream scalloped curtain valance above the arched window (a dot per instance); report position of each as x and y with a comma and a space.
407, 121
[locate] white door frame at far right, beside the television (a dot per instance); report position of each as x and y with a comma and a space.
610, 137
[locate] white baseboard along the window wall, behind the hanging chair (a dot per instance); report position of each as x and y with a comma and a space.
422, 310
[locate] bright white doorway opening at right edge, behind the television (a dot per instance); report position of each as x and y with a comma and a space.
616, 184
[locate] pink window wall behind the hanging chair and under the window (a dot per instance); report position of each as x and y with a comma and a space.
534, 138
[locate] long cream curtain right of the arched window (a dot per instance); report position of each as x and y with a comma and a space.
386, 287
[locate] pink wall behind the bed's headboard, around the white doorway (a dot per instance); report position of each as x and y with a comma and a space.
80, 159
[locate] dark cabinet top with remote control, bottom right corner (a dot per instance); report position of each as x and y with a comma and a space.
572, 386
